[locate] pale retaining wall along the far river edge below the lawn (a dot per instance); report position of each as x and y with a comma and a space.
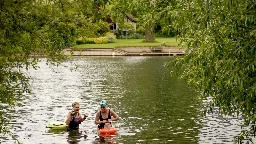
126, 51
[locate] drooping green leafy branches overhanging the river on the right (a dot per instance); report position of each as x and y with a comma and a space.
220, 40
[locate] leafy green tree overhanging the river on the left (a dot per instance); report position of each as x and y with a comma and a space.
31, 27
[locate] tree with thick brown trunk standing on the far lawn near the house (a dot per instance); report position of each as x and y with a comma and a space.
147, 13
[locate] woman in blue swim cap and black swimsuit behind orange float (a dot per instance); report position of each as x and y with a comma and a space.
105, 115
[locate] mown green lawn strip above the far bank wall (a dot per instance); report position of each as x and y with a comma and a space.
131, 42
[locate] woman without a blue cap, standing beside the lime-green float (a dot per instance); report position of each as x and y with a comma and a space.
74, 118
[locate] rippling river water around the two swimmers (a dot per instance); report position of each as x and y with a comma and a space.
153, 106
